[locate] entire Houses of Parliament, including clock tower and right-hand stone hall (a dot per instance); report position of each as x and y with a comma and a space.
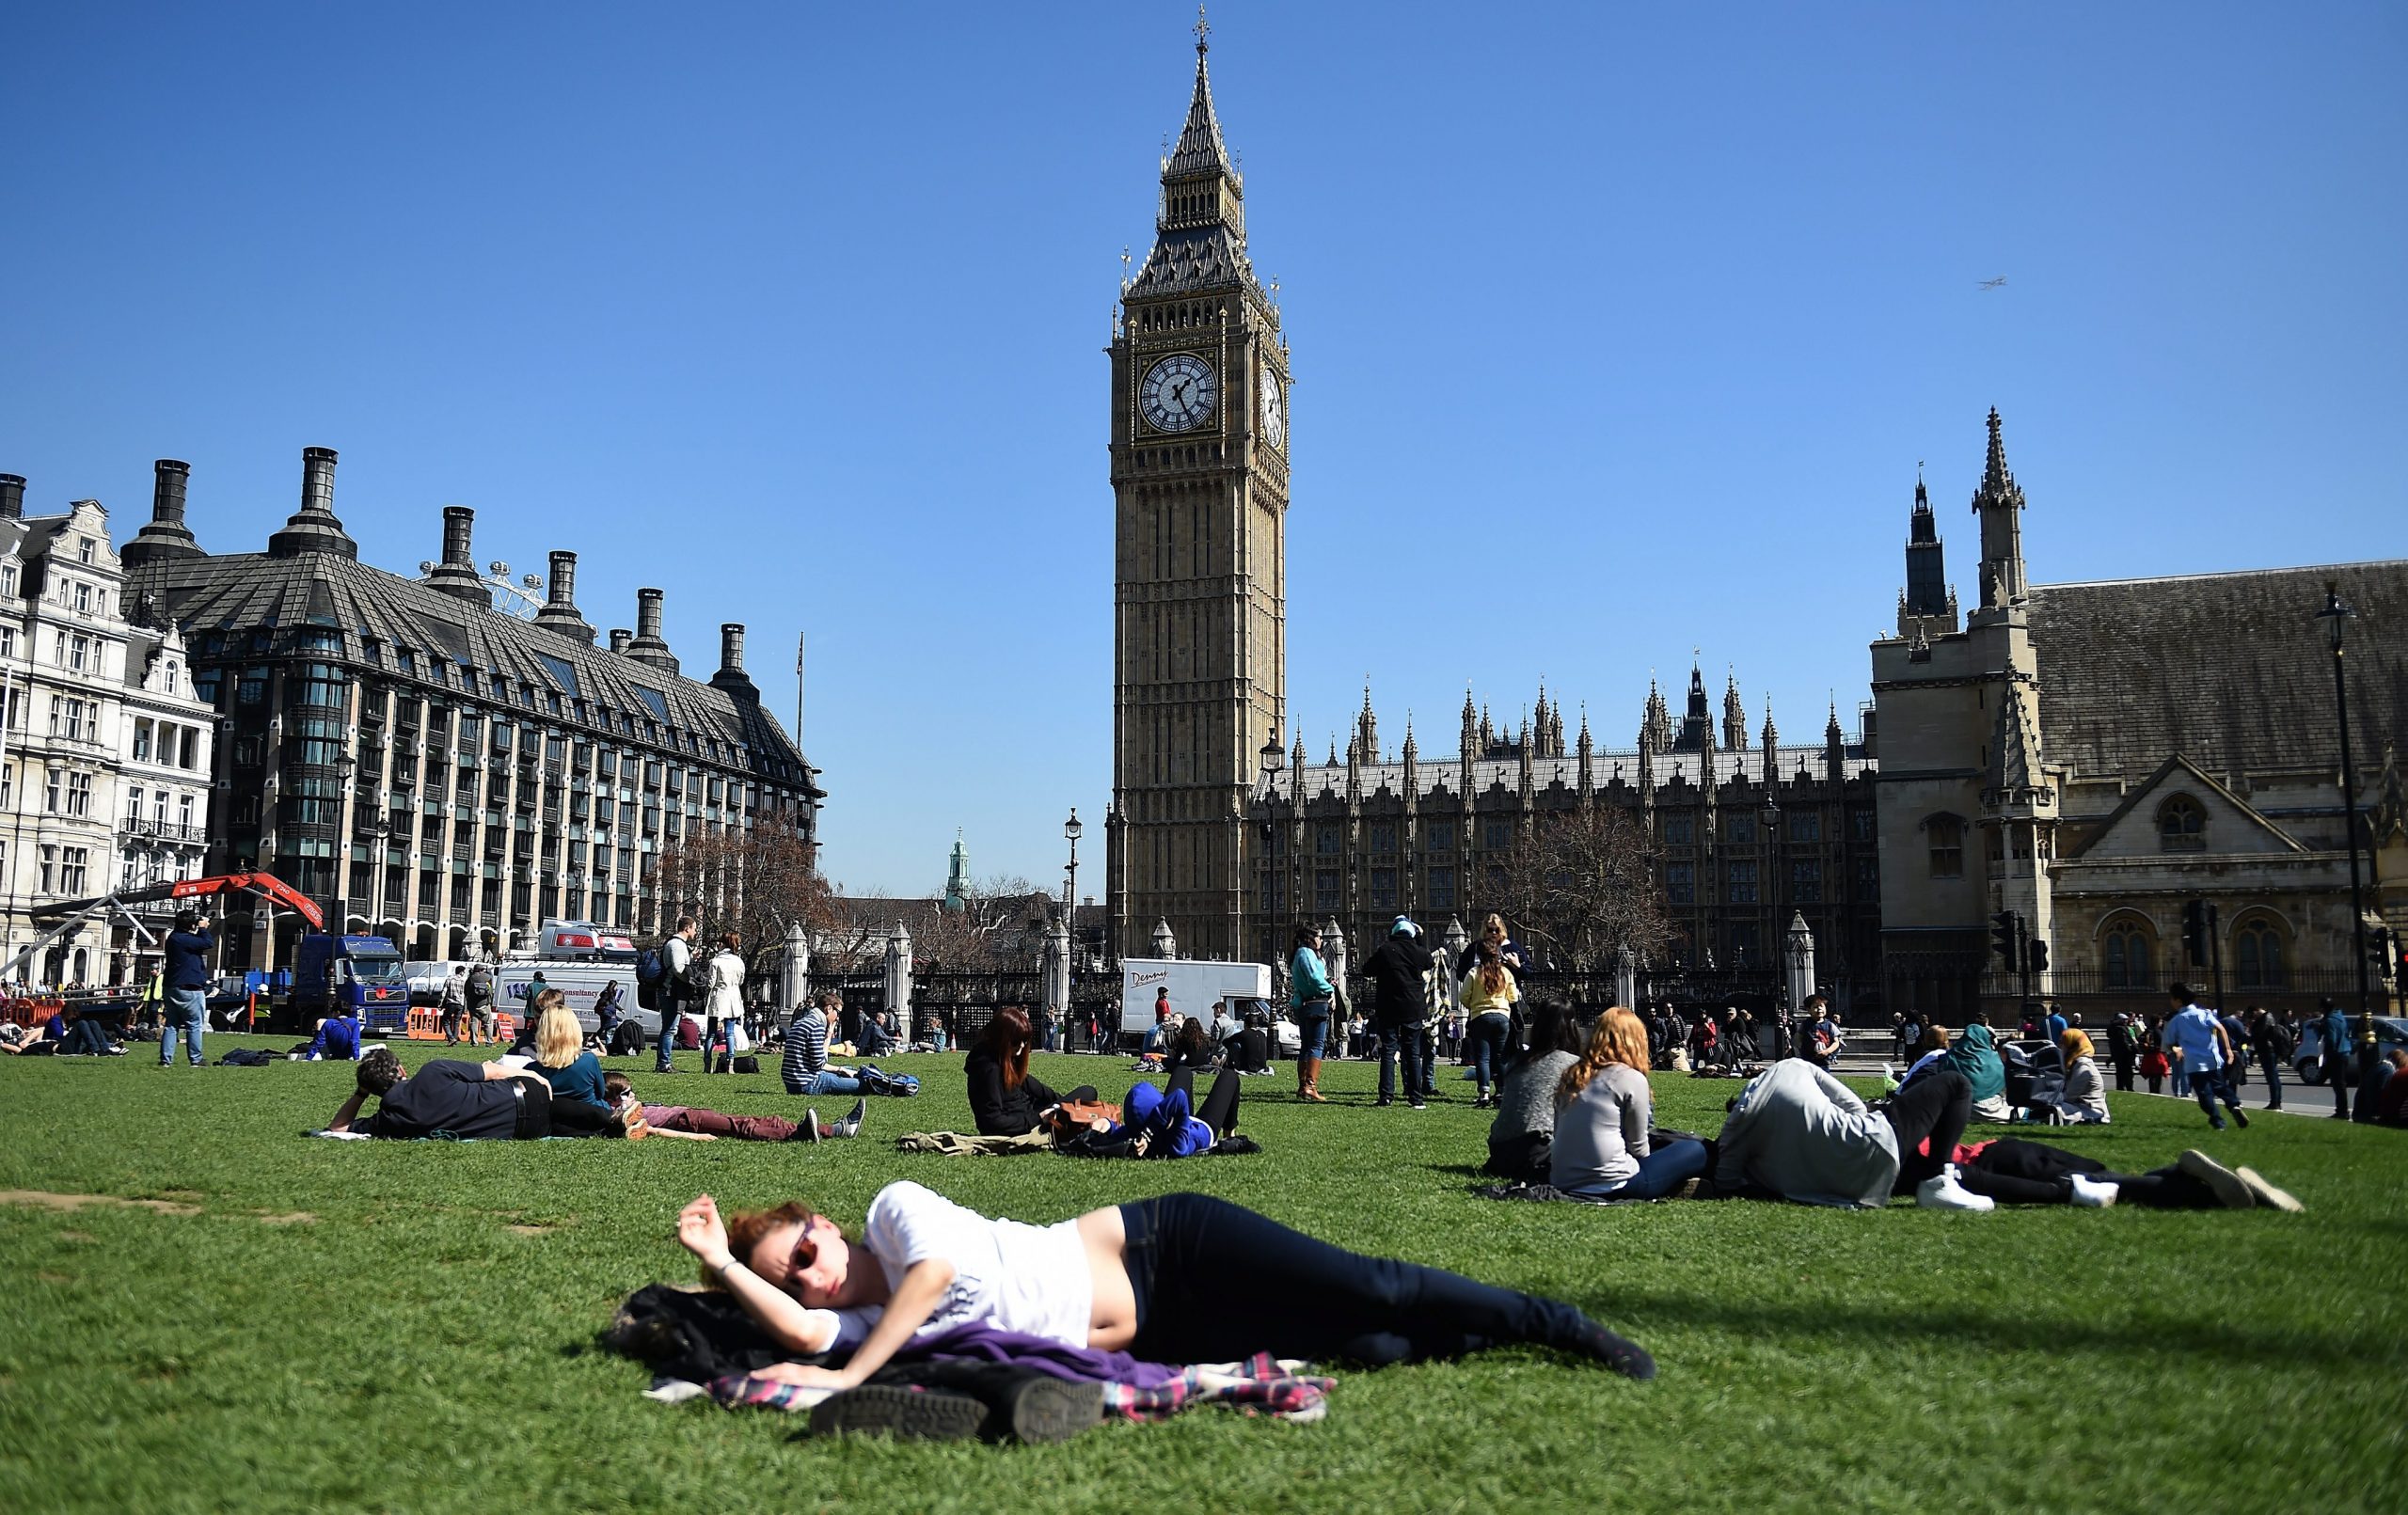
2087, 755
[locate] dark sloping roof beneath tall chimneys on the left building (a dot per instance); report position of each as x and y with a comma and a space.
259, 591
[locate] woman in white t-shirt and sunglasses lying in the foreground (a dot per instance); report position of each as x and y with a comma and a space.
1171, 1280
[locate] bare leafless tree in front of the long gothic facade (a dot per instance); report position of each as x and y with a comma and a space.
1583, 883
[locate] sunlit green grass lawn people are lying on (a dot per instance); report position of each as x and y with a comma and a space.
350, 1326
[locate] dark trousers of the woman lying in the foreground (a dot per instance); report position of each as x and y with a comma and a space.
1217, 1283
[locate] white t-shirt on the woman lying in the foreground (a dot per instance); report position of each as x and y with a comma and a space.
1008, 1275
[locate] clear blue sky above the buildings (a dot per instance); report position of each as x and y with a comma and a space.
1617, 331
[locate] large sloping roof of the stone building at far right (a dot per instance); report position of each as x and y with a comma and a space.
2231, 671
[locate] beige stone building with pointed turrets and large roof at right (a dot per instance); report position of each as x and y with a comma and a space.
2094, 757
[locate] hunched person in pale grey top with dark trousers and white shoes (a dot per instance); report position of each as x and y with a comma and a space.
1805, 1136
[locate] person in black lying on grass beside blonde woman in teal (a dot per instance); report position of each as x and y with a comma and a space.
471, 1102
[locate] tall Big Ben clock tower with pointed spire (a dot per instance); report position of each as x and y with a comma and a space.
1200, 485
